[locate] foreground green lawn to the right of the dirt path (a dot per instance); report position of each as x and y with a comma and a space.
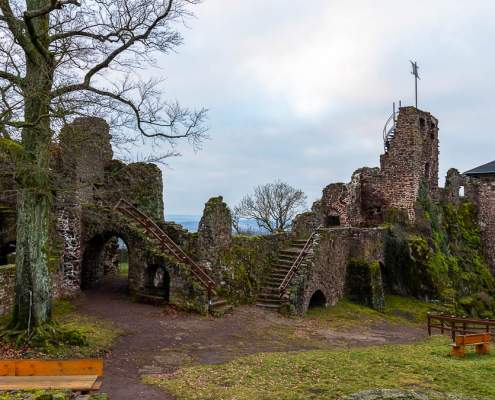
332, 374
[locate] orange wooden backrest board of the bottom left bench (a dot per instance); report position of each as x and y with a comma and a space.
51, 367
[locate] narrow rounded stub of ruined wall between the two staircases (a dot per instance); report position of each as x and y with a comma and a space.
214, 230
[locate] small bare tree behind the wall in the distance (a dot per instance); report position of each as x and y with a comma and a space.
273, 206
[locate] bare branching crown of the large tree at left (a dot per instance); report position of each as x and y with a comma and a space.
87, 56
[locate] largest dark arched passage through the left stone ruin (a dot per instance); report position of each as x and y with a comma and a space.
105, 255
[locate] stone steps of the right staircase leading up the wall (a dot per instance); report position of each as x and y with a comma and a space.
269, 296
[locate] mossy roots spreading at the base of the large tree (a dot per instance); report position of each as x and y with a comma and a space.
47, 335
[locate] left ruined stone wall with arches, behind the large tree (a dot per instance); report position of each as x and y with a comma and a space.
88, 183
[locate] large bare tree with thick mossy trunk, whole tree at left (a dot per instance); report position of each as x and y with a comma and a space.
60, 59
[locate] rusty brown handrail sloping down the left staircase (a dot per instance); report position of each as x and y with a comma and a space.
152, 228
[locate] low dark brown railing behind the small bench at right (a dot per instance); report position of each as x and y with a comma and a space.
457, 325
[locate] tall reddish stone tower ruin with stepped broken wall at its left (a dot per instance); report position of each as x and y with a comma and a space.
411, 158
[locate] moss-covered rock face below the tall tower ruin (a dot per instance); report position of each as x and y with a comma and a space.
441, 258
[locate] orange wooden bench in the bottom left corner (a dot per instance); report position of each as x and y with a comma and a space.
76, 375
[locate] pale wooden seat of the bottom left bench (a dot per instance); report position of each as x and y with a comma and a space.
82, 382
